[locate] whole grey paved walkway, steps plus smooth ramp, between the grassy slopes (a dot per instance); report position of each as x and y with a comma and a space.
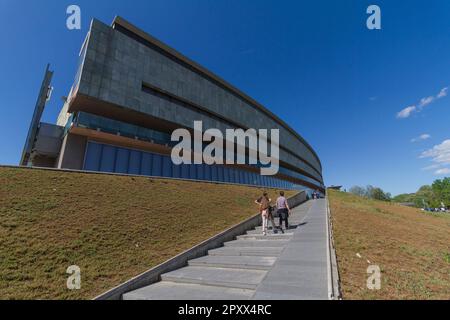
277, 266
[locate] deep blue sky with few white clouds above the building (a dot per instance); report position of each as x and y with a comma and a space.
314, 63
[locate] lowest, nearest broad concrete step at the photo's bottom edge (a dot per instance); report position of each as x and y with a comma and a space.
166, 290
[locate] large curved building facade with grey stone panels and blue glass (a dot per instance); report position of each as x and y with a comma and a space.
131, 91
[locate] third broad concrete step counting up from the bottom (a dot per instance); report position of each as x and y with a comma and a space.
237, 262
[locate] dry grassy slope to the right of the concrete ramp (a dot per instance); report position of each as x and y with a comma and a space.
412, 249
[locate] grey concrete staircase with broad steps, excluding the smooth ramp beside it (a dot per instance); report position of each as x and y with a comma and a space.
233, 271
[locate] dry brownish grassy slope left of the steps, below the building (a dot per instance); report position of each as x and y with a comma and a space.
112, 227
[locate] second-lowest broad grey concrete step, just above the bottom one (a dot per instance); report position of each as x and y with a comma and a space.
224, 277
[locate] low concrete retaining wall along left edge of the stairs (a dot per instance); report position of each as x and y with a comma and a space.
154, 275
